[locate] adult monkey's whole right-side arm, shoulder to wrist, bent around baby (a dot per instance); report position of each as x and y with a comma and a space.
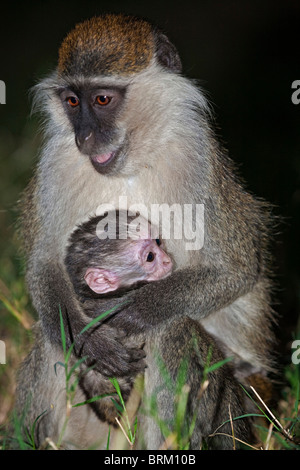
230, 265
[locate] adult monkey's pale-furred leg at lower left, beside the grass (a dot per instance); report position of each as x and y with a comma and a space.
42, 395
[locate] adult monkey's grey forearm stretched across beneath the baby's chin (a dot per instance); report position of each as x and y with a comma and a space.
195, 292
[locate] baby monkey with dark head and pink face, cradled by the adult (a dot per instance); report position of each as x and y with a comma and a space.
108, 255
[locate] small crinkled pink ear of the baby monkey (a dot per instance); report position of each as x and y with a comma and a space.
101, 280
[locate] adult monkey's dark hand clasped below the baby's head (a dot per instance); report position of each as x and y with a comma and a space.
112, 353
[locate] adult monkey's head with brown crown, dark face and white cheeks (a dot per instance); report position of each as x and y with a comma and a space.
106, 82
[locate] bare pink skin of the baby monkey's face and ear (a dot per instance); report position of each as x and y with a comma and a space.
150, 259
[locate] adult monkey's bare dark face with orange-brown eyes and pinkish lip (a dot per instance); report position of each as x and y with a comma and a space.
92, 112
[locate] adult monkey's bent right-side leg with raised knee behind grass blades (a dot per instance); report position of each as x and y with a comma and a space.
210, 403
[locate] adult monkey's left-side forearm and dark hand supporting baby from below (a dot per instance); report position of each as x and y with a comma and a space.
53, 293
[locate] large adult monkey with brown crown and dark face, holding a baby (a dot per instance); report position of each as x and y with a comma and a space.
122, 121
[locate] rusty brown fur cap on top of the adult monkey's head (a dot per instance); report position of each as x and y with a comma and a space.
109, 44
